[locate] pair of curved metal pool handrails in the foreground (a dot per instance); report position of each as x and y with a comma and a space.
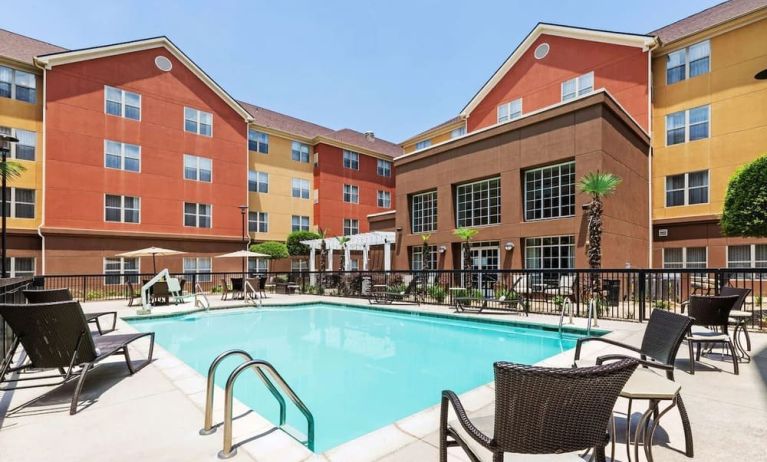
258, 366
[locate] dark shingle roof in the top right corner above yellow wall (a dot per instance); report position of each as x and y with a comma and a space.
707, 18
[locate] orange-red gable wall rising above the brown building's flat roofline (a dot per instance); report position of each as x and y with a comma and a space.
622, 70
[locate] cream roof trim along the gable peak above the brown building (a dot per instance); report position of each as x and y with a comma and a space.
594, 35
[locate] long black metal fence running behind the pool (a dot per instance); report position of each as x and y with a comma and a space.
622, 294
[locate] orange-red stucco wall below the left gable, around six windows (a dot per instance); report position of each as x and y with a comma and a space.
77, 126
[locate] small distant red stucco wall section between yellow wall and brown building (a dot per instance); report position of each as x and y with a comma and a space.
330, 177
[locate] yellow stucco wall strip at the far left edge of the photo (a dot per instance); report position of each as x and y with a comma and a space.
26, 116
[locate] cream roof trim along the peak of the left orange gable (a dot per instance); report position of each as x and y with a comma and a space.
50, 60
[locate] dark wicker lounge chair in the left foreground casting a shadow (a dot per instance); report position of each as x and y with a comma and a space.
56, 336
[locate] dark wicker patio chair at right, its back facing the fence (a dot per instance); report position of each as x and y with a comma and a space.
711, 312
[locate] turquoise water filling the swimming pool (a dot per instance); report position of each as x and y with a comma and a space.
356, 369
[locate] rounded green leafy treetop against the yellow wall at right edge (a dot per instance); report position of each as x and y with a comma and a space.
745, 204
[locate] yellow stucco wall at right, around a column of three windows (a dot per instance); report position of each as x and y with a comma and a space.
737, 121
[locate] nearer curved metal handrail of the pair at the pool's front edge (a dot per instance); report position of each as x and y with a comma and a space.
228, 451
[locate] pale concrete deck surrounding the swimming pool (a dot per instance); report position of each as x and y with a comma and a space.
156, 414
